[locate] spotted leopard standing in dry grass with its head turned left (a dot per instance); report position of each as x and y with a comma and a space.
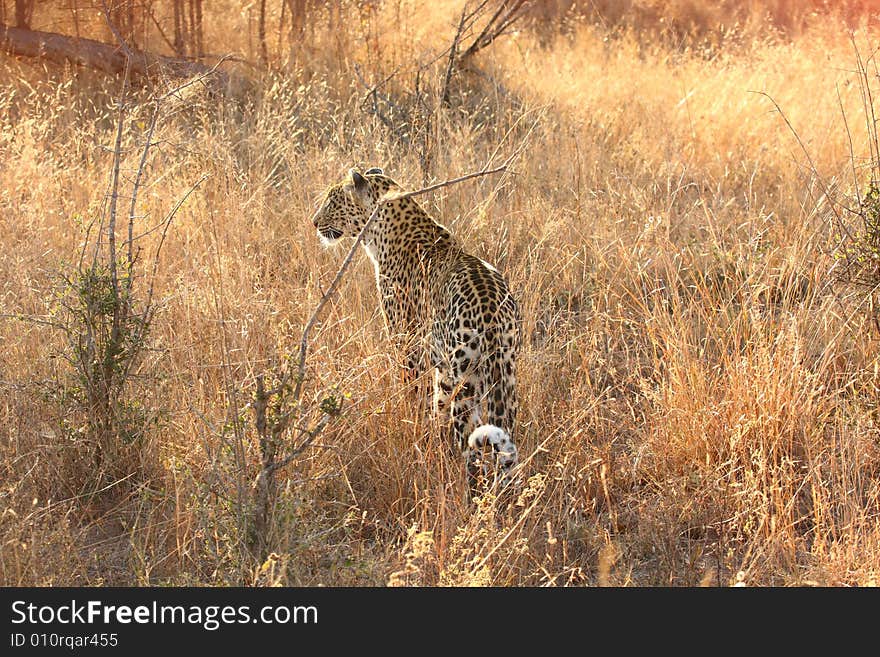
449, 313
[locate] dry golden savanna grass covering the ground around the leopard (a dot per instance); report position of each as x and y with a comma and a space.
699, 376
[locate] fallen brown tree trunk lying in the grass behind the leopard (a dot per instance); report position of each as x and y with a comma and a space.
61, 49
